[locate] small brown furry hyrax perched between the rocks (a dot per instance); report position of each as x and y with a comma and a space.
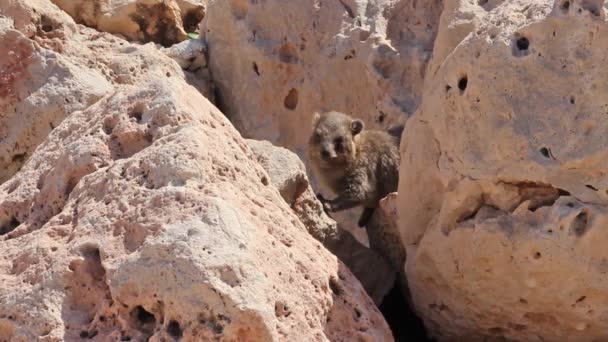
360, 166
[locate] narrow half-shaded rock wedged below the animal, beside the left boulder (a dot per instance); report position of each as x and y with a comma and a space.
288, 175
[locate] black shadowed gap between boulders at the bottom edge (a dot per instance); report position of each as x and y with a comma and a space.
402, 320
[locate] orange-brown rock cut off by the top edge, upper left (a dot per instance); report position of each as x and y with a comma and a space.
165, 22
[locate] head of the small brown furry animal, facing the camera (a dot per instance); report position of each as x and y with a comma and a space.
332, 138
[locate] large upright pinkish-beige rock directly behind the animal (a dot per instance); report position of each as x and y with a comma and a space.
276, 62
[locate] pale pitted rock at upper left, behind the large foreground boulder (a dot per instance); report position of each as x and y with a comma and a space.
56, 67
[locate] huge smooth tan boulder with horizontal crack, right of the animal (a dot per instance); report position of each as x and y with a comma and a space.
503, 191
